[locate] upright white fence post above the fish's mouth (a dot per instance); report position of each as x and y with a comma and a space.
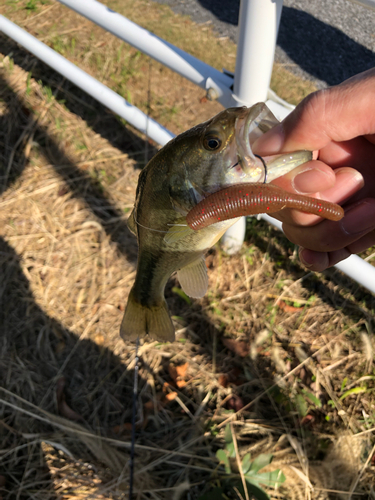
258, 26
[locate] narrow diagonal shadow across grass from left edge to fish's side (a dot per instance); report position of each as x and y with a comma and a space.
13, 124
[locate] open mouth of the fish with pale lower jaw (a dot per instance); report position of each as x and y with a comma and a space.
249, 128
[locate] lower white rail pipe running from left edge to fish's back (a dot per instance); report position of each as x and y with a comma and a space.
93, 87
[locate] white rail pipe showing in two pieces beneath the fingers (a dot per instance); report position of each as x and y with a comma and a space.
356, 268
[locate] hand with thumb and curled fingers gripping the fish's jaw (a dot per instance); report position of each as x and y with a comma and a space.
339, 125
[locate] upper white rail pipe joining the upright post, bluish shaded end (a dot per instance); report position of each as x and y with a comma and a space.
174, 58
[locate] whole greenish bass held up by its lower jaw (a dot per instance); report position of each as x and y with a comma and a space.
188, 169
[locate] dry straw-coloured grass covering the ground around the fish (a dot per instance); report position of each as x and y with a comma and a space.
271, 348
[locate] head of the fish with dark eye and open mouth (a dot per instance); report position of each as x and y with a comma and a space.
219, 153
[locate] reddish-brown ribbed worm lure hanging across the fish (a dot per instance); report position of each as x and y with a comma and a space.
255, 198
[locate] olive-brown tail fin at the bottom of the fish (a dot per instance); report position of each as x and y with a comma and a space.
140, 320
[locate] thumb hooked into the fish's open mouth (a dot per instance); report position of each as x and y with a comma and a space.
337, 114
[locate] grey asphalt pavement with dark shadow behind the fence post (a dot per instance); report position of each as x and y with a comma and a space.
325, 41
